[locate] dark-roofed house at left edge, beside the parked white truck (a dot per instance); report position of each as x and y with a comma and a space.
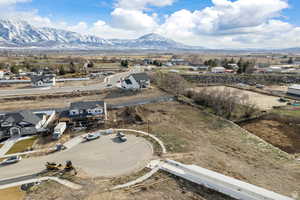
21, 124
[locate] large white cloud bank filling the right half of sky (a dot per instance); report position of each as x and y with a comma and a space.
231, 24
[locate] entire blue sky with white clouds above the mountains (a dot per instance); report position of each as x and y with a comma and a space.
208, 23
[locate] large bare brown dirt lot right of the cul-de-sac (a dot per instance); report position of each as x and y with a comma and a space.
217, 145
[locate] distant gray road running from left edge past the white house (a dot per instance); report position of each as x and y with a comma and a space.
36, 91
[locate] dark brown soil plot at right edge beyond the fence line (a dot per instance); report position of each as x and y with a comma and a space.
281, 135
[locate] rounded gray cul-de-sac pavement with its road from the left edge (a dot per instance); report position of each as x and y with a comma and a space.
105, 157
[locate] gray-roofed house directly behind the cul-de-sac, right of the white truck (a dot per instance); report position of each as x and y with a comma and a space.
85, 109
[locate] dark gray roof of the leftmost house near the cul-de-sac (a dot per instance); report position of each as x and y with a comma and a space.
26, 116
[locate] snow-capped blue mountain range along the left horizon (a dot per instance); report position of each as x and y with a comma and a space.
21, 34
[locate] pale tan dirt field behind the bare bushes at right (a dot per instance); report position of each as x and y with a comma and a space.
263, 102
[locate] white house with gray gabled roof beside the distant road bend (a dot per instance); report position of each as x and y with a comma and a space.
136, 81
